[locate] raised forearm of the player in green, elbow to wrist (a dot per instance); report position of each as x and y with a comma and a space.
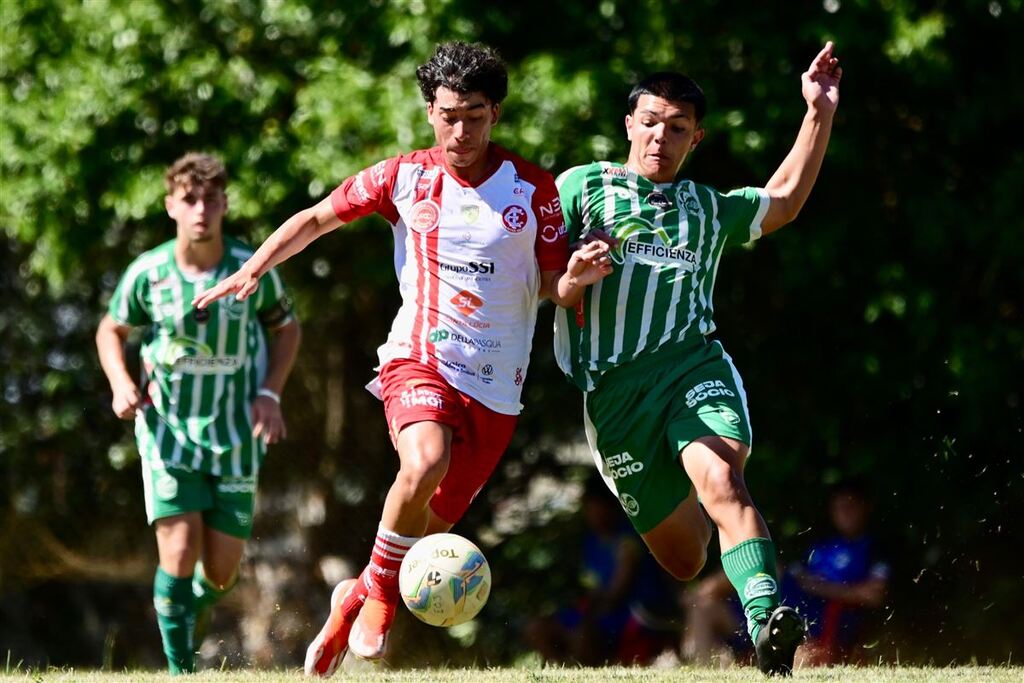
792, 183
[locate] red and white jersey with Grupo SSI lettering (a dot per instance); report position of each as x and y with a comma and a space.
468, 261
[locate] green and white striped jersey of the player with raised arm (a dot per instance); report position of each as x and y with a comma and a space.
671, 237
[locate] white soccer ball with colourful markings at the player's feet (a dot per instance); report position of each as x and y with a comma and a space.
445, 580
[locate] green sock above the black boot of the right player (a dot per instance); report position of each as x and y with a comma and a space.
751, 569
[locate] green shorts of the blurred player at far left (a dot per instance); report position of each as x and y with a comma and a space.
227, 502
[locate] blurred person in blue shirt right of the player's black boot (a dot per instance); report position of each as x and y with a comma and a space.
841, 582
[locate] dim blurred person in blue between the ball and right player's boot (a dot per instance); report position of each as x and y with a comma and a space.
627, 614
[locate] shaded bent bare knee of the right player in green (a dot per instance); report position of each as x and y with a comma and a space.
679, 542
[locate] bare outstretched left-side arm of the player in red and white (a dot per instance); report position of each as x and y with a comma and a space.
293, 236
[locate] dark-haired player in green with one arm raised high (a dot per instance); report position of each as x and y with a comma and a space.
665, 407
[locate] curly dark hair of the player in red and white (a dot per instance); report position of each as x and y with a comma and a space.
464, 68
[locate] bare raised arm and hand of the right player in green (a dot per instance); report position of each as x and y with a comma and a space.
791, 186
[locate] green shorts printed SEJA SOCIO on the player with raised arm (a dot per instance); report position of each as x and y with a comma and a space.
643, 415
